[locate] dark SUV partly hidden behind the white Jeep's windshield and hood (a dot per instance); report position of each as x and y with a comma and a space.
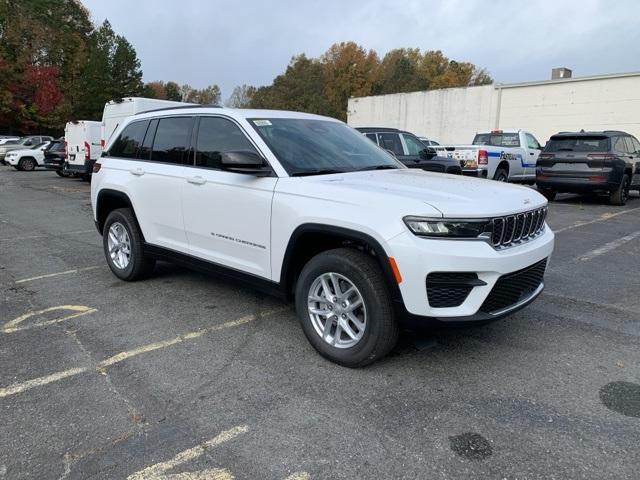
410, 150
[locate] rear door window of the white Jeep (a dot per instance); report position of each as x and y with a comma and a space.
172, 140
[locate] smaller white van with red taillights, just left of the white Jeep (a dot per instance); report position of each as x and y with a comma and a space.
82, 139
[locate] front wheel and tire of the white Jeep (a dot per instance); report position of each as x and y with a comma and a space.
361, 271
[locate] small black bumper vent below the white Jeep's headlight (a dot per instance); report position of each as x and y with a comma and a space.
450, 289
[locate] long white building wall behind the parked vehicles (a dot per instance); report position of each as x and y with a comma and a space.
453, 116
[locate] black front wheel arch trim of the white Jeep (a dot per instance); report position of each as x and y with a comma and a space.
307, 240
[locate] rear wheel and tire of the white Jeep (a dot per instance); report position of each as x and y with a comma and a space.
138, 265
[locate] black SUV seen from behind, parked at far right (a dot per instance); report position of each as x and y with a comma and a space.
590, 162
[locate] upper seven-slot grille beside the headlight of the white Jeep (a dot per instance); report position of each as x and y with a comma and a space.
518, 228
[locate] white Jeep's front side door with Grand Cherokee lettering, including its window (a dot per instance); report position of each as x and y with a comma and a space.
227, 215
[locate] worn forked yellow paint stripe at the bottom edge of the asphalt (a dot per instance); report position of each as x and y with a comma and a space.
157, 471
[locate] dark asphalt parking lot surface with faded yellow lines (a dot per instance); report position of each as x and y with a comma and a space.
186, 377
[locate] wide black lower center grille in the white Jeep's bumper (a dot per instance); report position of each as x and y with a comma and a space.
515, 287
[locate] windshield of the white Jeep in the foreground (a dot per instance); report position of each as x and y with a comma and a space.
305, 146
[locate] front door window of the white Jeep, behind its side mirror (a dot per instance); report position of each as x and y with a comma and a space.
216, 136
